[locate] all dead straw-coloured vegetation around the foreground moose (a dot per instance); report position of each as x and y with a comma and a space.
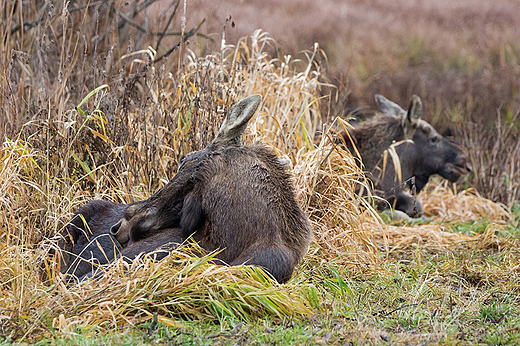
86, 115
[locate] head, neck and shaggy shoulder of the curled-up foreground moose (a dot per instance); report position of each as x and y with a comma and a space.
236, 198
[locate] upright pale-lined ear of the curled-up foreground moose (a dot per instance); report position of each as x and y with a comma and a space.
237, 118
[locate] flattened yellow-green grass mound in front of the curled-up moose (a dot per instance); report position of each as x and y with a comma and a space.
181, 286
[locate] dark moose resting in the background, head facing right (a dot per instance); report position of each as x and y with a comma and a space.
420, 149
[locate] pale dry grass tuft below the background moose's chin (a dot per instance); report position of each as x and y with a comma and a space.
442, 203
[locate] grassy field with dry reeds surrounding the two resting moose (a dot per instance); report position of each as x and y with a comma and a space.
99, 100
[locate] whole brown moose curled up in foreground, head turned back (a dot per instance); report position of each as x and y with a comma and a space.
231, 197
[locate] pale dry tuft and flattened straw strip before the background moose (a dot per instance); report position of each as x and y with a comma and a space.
444, 207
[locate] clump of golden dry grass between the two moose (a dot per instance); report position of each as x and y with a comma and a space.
344, 224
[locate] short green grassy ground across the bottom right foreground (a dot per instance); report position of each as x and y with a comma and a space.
463, 295
